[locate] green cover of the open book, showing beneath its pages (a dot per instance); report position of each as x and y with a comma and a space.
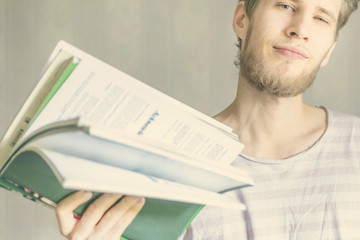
159, 219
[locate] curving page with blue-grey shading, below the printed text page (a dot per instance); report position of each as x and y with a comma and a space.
148, 160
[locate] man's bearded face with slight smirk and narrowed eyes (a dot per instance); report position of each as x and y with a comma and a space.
286, 42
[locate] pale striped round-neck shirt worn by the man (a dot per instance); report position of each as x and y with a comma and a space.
313, 195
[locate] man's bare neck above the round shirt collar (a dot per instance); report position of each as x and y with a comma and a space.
272, 127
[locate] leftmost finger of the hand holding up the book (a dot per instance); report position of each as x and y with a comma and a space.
64, 211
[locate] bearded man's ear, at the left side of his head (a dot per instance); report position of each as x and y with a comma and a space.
241, 21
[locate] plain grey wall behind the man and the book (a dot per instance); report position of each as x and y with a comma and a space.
184, 48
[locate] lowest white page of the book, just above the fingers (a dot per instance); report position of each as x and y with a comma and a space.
80, 174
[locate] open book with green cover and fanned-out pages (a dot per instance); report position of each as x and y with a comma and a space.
89, 126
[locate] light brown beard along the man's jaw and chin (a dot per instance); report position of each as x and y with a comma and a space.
265, 77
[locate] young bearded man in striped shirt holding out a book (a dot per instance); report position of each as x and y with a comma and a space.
305, 160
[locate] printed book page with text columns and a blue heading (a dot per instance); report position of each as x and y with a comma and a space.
109, 97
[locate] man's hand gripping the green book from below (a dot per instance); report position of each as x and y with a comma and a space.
105, 218
